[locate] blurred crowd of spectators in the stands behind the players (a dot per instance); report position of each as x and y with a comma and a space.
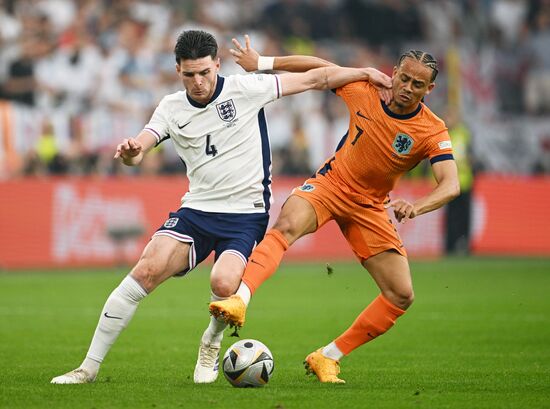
78, 76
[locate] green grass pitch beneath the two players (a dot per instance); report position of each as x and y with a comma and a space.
477, 336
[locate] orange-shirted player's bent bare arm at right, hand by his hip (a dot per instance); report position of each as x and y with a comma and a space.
447, 189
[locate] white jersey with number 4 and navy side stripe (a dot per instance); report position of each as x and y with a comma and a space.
224, 143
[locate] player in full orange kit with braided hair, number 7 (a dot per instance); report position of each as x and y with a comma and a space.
382, 143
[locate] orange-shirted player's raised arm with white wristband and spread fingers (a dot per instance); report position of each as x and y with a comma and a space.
248, 58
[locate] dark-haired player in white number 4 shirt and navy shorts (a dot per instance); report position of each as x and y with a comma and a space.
218, 128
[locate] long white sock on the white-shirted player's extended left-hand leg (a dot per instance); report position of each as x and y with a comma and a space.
115, 316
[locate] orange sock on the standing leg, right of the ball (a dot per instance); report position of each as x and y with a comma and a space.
376, 319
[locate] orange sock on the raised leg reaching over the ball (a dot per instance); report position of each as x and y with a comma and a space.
265, 259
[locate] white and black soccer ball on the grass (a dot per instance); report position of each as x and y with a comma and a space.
248, 363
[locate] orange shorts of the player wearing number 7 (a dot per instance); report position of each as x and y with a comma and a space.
367, 227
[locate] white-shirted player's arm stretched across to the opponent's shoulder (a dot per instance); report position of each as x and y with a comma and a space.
330, 78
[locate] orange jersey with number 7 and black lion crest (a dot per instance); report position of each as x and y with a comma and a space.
380, 146
